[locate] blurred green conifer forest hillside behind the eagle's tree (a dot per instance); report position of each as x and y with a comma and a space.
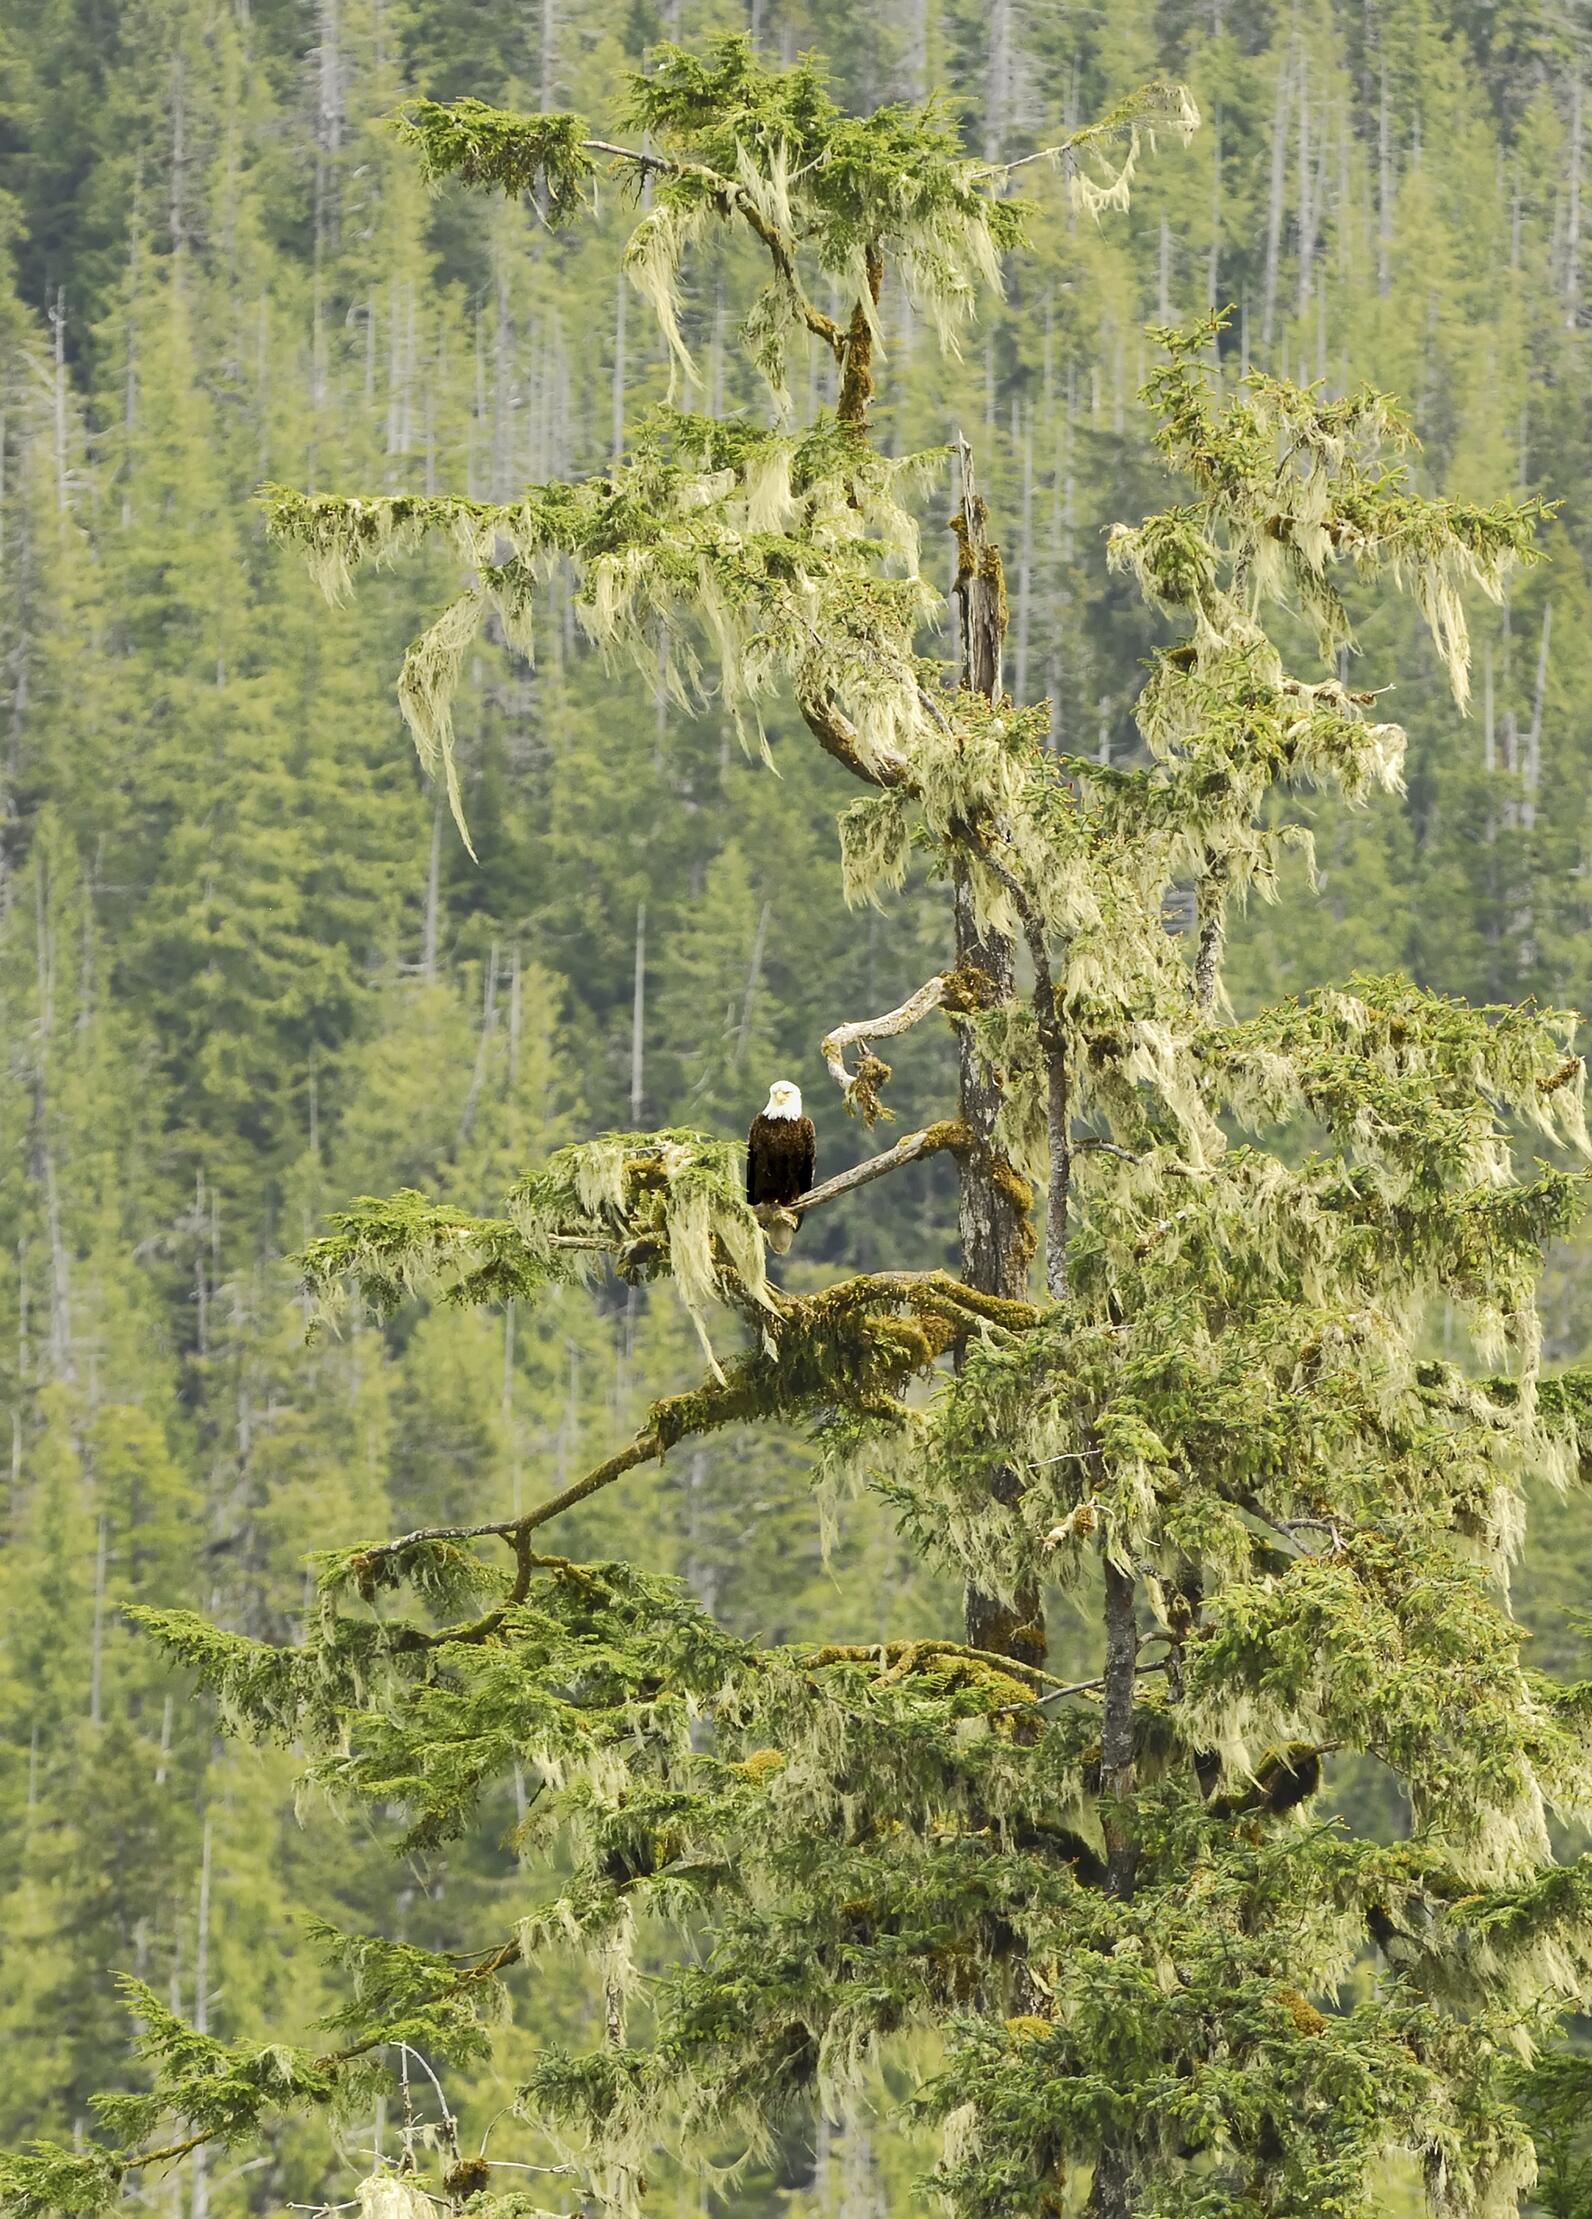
248, 971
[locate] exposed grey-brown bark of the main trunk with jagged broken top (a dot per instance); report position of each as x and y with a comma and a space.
994, 1202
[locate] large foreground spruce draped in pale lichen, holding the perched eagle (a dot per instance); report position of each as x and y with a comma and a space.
1118, 1905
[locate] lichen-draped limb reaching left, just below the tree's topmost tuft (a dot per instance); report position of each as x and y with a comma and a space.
785, 558
